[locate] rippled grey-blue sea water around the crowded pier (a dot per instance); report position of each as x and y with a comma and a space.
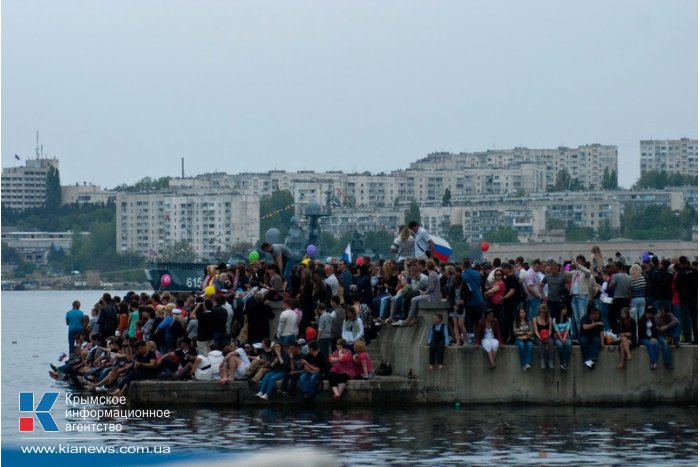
34, 334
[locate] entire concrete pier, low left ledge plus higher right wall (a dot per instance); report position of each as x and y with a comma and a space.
466, 378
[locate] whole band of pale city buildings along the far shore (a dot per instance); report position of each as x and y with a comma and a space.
478, 191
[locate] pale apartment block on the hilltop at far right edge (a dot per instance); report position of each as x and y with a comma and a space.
670, 155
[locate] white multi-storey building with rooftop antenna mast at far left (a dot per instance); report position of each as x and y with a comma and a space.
25, 187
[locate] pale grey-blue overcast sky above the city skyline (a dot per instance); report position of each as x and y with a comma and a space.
120, 90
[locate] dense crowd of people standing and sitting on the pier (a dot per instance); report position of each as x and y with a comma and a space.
333, 310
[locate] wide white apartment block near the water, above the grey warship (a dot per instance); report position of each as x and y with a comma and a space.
210, 221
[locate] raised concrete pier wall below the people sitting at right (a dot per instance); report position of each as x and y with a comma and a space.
467, 378
